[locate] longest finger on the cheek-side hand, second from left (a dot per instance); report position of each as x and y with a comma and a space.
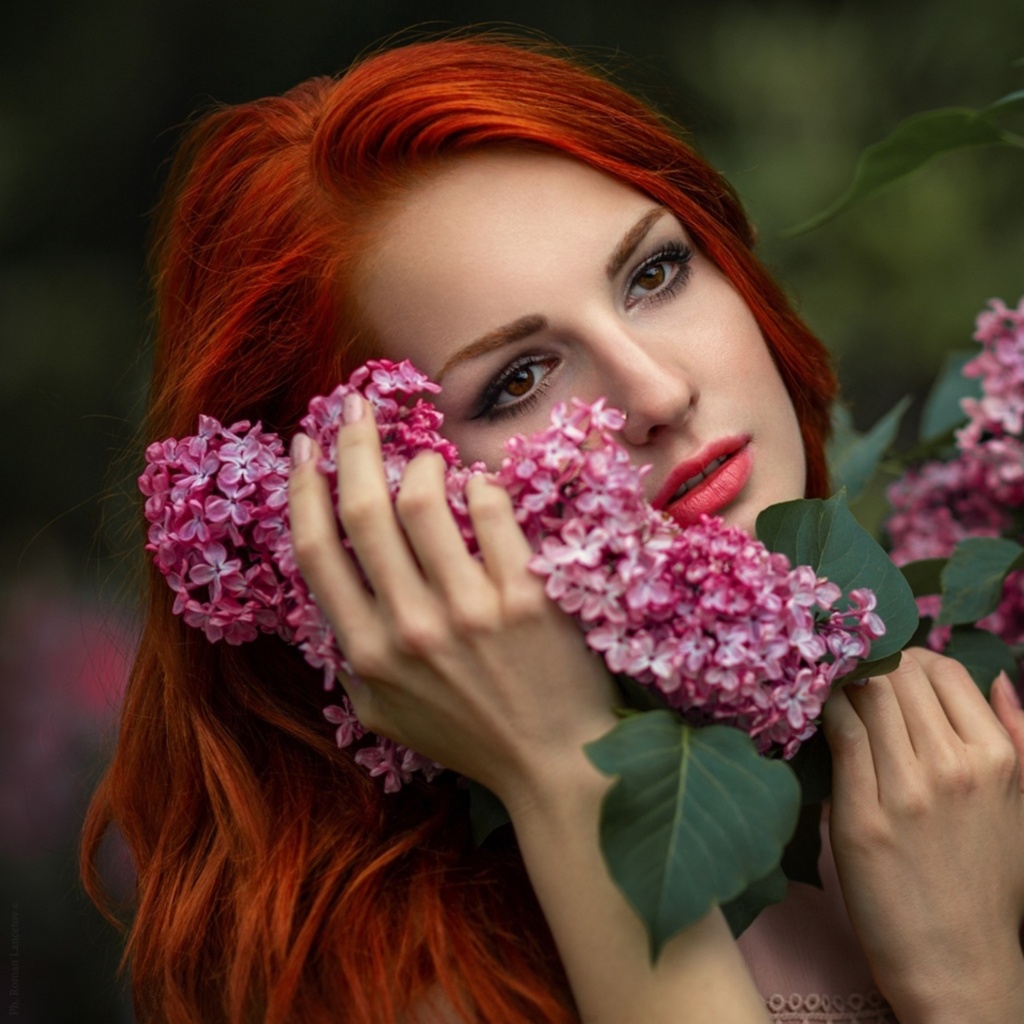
366, 510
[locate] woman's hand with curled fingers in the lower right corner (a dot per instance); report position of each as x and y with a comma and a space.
928, 832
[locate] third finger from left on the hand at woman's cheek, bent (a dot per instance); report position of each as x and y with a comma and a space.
434, 535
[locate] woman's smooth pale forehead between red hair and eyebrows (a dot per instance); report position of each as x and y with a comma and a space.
485, 235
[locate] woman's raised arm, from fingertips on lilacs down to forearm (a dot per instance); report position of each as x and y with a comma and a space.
467, 662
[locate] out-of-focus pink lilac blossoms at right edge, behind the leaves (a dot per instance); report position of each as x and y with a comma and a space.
980, 491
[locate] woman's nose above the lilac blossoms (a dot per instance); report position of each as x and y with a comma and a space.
648, 380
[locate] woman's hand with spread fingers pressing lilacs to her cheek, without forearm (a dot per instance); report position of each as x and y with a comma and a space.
465, 661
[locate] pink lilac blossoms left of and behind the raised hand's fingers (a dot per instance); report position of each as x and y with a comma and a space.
218, 508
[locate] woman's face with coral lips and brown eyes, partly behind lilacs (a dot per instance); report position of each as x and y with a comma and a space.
519, 280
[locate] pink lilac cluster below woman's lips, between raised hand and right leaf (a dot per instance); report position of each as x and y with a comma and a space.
721, 628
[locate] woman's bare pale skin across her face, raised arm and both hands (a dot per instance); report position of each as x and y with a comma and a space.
468, 663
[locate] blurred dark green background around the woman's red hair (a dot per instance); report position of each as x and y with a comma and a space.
781, 96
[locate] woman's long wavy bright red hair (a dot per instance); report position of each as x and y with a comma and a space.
276, 882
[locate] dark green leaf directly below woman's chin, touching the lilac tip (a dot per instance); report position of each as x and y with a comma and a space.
826, 536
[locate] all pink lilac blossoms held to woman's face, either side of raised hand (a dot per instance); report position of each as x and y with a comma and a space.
722, 629
